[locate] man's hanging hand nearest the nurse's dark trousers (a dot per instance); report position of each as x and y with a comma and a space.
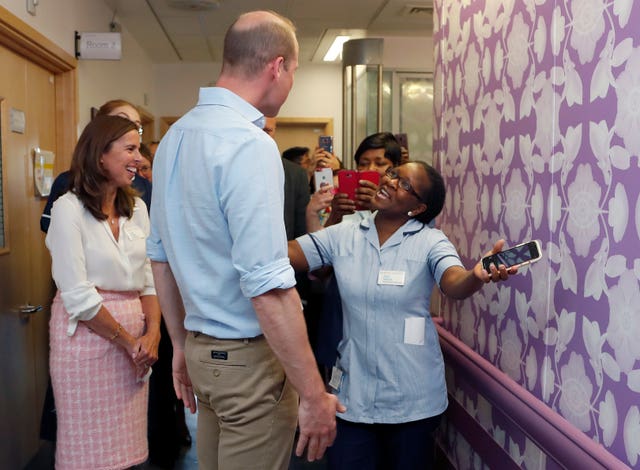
317, 422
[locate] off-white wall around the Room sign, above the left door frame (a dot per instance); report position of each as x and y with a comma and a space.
98, 80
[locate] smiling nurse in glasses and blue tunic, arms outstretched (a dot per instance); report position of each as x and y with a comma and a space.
390, 372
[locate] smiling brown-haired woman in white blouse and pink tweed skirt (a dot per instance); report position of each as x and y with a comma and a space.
105, 318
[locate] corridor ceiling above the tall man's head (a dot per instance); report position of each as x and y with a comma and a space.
175, 31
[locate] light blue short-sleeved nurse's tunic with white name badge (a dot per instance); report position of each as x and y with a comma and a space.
386, 380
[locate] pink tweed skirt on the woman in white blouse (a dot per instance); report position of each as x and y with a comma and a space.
101, 407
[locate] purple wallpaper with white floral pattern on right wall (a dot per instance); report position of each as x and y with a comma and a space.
537, 134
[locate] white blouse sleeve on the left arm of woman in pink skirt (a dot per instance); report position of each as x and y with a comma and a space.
64, 240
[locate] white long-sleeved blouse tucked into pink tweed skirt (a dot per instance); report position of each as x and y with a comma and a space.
87, 257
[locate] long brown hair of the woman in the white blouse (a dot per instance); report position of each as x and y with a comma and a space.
88, 178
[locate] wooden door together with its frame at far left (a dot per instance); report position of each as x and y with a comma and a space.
38, 83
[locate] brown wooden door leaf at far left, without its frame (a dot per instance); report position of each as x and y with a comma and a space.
28, 90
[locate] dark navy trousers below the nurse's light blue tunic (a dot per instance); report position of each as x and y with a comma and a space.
405, 446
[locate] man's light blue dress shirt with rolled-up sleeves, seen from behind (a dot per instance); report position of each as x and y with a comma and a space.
216, 213
